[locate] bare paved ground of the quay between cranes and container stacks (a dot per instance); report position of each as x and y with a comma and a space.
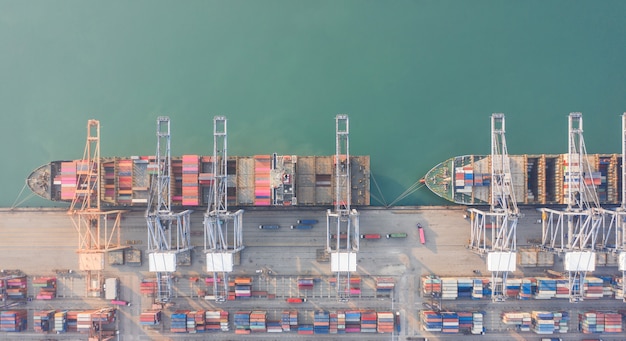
38, 242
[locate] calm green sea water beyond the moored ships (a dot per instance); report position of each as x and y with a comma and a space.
418, 79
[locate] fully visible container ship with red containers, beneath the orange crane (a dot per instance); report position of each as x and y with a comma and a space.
260, 180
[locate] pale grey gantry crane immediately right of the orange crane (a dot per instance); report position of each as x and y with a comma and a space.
163, 248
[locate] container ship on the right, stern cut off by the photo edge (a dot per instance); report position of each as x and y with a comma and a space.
536, 179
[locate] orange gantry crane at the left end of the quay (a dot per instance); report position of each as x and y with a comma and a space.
98, 231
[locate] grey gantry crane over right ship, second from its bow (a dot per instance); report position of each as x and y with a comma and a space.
575, 230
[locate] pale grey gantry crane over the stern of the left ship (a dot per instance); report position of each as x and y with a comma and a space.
343, 220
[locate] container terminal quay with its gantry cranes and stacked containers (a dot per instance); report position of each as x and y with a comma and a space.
340, 270
